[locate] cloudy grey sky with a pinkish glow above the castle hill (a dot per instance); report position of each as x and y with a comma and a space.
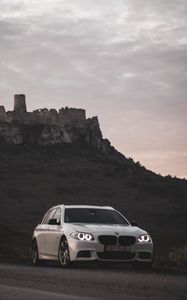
122, 60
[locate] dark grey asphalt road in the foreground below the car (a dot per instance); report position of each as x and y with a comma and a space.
87, 283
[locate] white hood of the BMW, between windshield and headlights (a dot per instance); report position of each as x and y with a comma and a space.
107, 229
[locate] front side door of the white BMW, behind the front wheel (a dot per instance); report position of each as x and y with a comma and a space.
54, 234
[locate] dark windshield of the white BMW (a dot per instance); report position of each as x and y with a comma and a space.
93, 216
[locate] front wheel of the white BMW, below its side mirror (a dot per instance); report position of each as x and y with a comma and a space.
63, 253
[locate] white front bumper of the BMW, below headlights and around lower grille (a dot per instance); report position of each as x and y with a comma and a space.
94, 250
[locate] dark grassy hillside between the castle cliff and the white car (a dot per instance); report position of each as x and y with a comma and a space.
34, 178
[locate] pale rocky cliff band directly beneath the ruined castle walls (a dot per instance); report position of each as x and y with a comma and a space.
19, 133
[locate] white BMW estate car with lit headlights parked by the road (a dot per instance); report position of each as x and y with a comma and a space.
73, 233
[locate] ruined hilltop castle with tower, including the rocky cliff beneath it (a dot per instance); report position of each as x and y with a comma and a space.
46, 127
